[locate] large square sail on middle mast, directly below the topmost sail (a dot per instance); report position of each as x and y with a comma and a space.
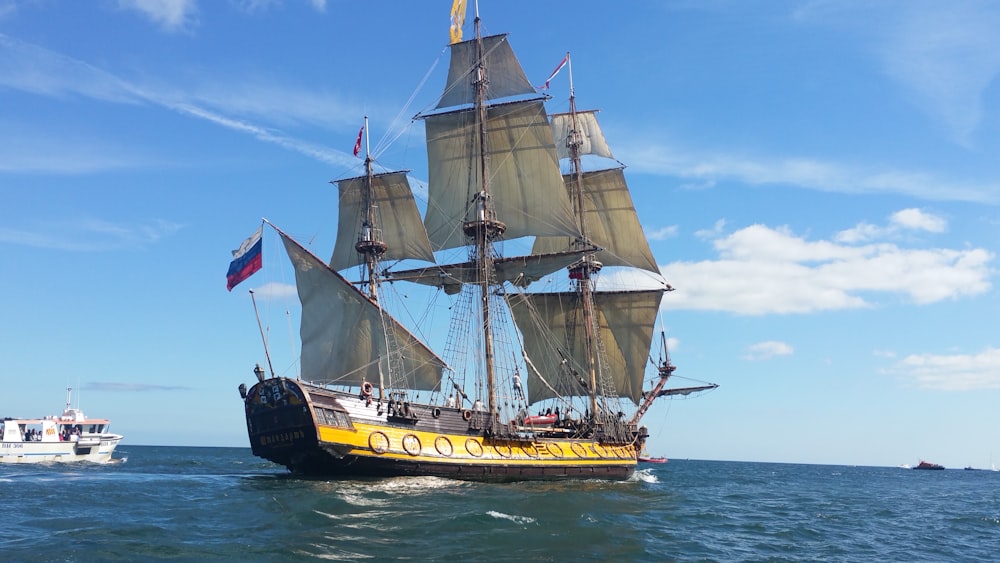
524, 173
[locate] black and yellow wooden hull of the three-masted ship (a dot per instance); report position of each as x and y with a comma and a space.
317, 431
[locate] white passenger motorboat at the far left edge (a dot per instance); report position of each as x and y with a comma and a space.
66, 438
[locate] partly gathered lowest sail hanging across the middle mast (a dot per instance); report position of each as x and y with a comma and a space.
519, 270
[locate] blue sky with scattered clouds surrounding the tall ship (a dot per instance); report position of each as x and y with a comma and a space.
819, 181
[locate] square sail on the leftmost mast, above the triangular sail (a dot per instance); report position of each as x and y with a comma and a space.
398, 219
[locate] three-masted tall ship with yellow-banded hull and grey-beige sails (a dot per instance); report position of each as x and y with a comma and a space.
529, 384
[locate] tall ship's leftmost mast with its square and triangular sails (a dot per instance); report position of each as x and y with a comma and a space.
348, 338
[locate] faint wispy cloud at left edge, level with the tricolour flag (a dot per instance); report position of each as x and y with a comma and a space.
90, 235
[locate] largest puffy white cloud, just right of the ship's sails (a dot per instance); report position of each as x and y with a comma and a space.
763, 270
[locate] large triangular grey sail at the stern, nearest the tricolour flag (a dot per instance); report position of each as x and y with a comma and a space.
343, 335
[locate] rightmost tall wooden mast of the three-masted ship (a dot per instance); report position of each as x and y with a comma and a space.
582, 271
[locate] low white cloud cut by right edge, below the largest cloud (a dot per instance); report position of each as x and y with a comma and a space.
960, 372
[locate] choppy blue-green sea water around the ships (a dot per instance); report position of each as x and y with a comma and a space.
198, 504
